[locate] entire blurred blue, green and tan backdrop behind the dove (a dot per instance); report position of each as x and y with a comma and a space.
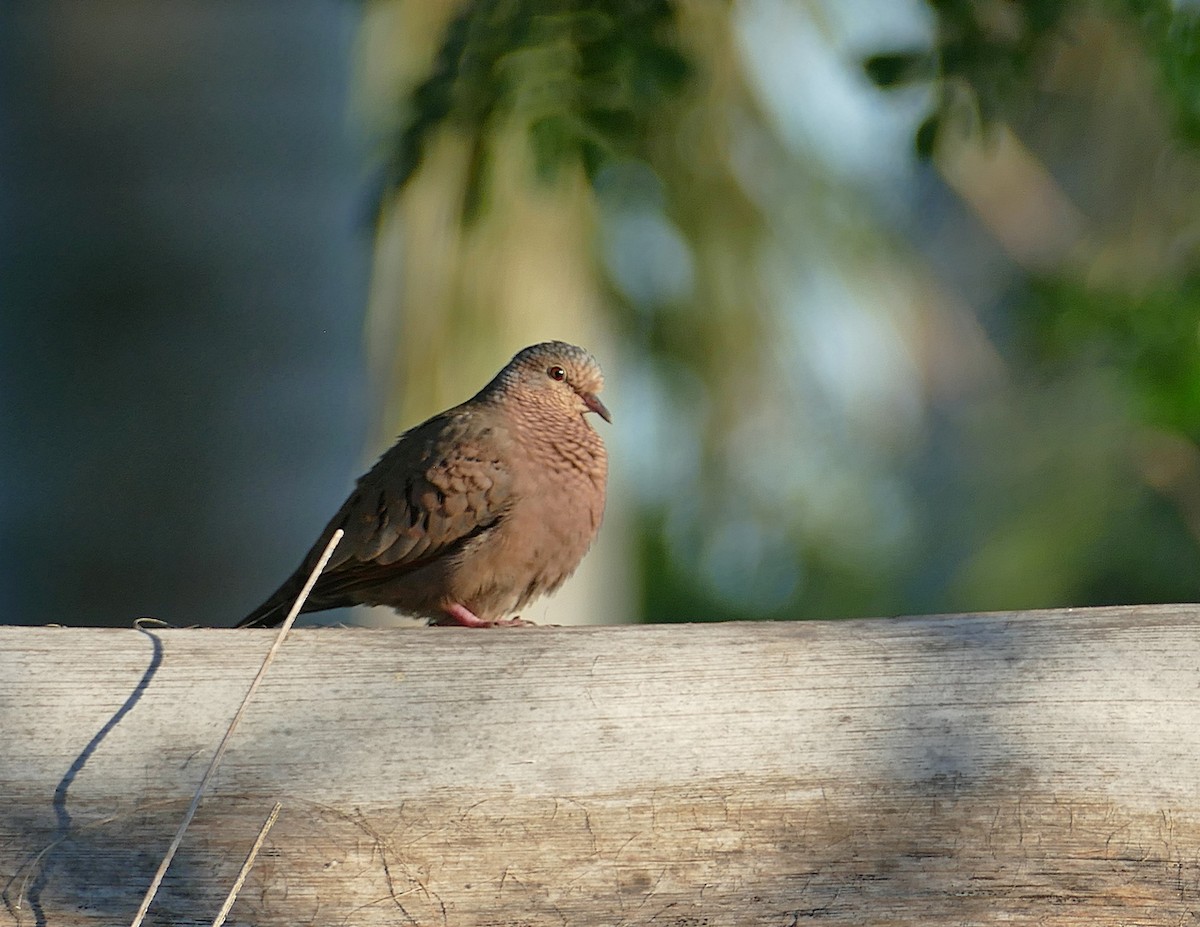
899, 302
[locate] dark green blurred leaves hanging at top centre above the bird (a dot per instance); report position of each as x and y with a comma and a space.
581, 79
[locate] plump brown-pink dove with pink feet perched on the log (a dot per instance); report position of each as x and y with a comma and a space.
477, 512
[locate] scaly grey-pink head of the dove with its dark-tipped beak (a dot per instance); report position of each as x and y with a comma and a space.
555, 375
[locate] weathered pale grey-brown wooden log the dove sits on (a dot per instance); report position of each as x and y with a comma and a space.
1037, 768
